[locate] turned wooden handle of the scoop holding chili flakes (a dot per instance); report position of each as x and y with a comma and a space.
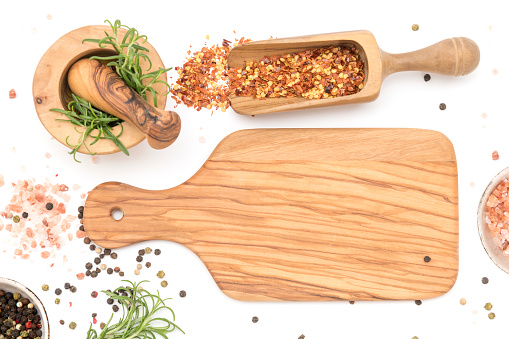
455, 56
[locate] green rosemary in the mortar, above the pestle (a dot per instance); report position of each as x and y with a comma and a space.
127, 60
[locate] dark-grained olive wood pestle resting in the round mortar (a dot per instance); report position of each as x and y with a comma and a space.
100, 85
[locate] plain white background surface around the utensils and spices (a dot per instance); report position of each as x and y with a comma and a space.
405, 101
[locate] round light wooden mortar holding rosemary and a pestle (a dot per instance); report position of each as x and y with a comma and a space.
51, 89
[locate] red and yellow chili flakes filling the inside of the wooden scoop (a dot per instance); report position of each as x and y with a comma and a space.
316, 74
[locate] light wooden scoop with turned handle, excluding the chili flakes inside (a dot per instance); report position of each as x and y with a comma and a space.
456, 56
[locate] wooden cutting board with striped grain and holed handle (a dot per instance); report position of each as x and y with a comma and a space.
305, 214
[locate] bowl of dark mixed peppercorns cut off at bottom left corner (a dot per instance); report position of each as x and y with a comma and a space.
22, 314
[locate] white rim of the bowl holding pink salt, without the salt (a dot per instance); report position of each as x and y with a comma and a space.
490, 246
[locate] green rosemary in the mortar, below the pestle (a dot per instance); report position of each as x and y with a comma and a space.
81, 114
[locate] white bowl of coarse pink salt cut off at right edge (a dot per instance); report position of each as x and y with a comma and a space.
493, 220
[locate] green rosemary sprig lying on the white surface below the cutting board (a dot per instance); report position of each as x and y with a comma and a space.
139, 318
